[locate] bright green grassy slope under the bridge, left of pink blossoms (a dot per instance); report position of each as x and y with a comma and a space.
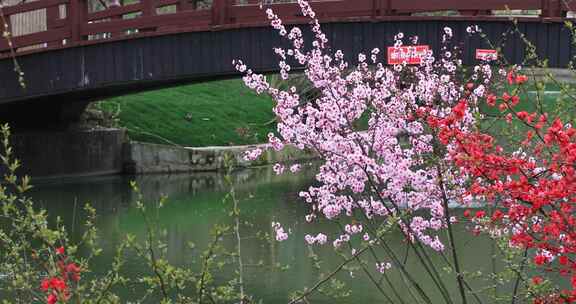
217, 110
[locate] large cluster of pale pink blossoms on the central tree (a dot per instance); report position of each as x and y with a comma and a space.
382, 169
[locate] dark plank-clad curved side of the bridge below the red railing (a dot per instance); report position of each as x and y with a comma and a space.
114, 68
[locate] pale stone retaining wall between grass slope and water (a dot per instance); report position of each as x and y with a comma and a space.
152, 158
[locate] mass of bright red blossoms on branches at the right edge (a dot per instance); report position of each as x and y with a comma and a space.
535, 185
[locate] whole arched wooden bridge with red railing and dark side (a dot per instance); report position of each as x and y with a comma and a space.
76, 51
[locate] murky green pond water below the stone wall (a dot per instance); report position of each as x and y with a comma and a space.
195, 204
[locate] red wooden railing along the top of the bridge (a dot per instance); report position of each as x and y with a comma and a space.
65, 23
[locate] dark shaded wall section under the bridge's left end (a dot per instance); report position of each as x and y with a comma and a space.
70, 153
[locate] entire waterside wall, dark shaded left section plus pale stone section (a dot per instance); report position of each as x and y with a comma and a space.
107, 151
